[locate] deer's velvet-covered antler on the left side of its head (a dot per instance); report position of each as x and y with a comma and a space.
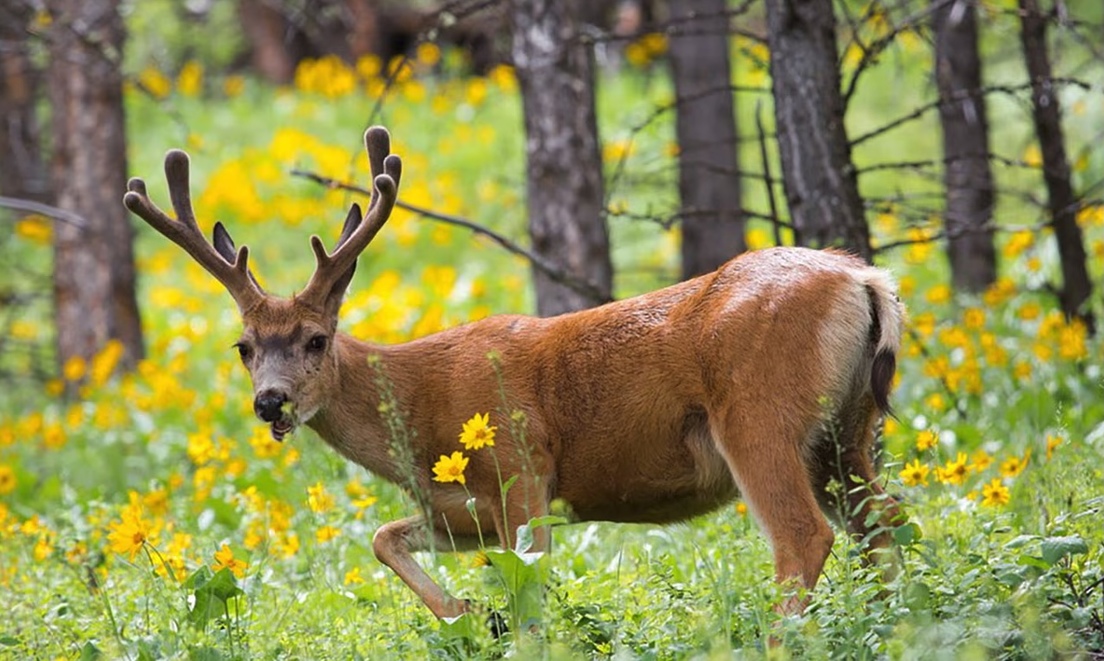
186, 233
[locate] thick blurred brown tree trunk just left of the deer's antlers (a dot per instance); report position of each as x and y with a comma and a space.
94, 276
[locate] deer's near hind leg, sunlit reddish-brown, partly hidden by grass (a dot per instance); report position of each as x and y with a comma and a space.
767, 464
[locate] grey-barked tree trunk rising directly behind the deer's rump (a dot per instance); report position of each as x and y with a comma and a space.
820, 179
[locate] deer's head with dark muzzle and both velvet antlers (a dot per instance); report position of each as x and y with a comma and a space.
286, 344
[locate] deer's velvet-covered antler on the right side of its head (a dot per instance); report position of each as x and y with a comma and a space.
356, 236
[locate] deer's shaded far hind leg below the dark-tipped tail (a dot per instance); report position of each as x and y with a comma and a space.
843, 455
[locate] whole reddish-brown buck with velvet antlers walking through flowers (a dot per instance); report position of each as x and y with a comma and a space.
763, 379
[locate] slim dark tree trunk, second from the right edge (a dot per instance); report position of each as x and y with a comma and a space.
968, 178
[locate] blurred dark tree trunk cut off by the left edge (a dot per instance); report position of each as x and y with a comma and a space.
23, 170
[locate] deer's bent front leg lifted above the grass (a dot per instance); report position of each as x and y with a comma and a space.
396, 542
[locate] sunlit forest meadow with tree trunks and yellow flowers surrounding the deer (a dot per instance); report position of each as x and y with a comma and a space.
145, 513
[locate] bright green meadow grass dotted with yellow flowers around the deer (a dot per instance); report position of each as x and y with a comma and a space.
1022, 580
